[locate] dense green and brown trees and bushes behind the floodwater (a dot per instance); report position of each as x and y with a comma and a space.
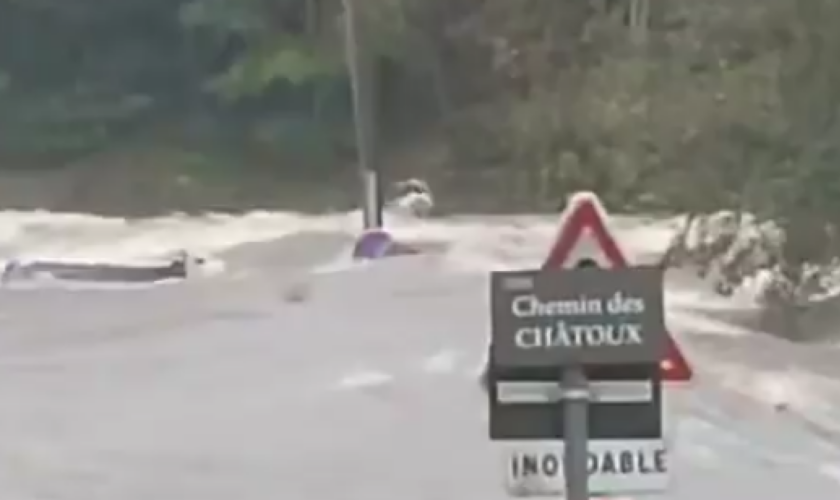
657, 105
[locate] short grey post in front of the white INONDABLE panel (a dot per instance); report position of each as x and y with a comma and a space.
576, 432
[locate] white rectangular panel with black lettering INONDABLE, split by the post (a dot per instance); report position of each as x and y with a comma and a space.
615, 467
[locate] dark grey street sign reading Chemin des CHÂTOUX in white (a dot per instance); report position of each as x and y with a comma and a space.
554, 318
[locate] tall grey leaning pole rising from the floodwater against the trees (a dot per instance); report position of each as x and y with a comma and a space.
359, 65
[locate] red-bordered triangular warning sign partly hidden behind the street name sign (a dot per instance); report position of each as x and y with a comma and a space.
584, 235
